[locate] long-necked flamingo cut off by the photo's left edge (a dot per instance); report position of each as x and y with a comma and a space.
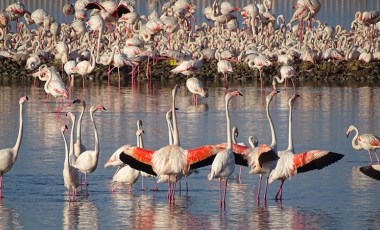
9, 156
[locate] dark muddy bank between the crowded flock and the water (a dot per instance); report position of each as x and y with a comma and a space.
324, 71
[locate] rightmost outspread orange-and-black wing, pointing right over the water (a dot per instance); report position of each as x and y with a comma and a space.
314, 159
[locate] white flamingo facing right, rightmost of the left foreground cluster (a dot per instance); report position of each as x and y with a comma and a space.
88, 160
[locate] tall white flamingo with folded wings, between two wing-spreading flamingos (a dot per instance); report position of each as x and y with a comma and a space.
223, 165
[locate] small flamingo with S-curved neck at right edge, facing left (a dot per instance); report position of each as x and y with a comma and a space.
365, 141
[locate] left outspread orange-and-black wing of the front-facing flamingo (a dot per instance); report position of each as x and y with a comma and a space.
138, 158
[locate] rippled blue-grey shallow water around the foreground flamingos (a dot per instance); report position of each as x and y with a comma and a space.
337, 197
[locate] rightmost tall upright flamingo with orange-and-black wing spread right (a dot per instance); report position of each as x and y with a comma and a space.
290, 164
